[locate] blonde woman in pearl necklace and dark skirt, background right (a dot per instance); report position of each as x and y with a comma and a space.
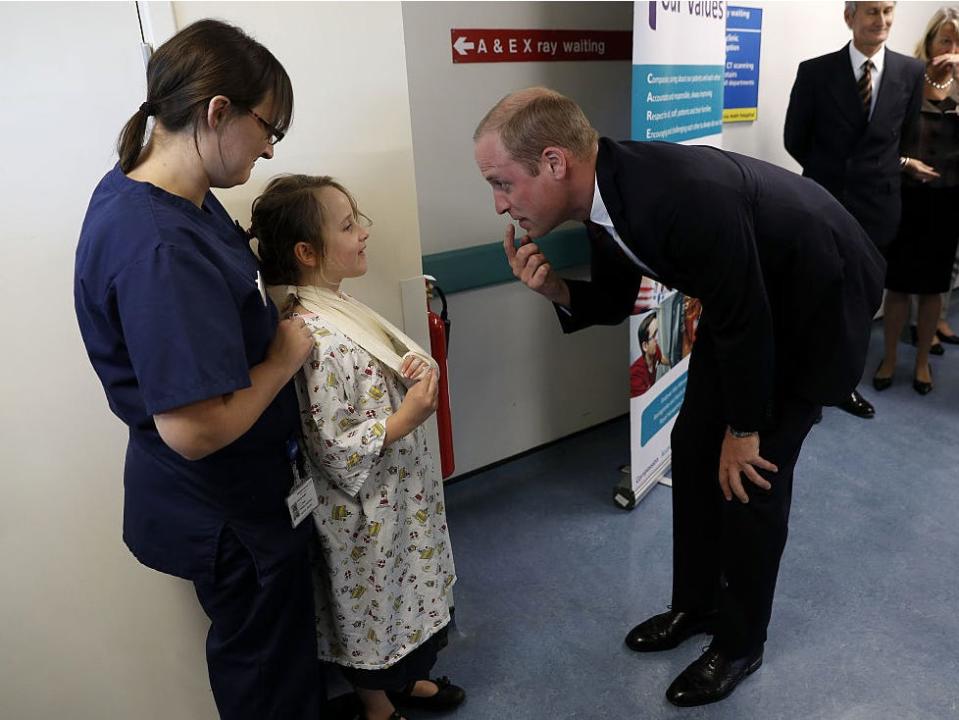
920, 259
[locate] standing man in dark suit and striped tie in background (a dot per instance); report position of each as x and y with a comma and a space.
848, 113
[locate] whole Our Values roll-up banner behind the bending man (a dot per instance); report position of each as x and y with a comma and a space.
679, 54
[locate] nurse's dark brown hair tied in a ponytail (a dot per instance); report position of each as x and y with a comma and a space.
205, 59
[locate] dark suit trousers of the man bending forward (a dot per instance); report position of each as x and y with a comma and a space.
726, 554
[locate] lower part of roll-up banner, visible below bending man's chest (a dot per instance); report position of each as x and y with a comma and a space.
662, 332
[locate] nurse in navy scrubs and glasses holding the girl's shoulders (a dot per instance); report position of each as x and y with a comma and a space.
194, 360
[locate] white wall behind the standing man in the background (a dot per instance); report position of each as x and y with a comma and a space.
793, 32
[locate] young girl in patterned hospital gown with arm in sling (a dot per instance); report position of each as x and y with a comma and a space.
383, 593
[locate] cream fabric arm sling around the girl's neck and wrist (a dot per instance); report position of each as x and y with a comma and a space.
367, 328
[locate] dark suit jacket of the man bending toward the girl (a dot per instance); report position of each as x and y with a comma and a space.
788, 279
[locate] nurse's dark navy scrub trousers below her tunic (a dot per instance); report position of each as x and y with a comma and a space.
261, 647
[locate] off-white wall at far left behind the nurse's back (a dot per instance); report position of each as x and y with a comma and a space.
86, 632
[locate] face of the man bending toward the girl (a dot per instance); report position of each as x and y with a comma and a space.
536, 202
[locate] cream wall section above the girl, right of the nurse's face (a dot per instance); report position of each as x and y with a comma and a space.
351, 120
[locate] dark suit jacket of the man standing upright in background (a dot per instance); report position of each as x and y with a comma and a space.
857, 161
